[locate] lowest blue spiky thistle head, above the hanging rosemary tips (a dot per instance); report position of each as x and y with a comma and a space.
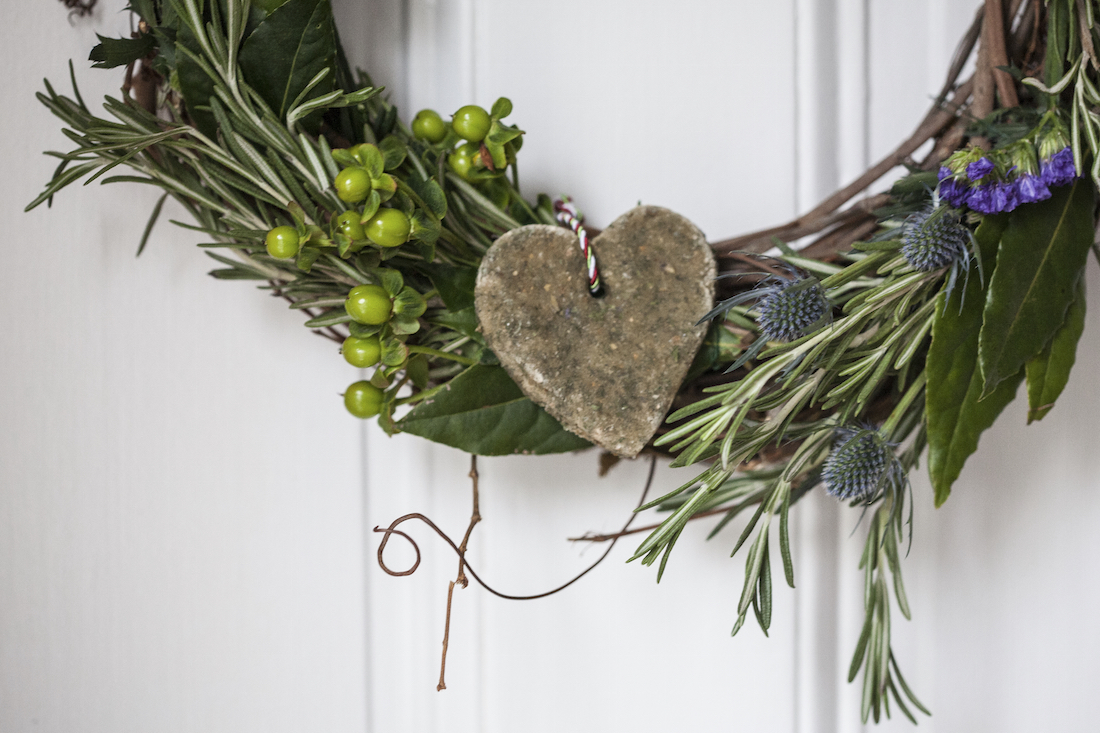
862, 465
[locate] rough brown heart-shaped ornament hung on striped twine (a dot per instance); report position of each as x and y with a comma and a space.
607, 368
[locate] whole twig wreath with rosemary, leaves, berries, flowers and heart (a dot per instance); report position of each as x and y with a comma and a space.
907, 323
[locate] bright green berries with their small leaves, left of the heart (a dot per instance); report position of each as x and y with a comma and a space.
380, 225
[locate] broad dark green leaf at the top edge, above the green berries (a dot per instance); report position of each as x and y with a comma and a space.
293, 45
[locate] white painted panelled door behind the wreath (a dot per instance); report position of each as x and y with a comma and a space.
185, 543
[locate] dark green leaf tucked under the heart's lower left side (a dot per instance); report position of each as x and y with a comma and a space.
483, 412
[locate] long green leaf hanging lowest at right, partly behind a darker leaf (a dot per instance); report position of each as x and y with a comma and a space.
955, 417
